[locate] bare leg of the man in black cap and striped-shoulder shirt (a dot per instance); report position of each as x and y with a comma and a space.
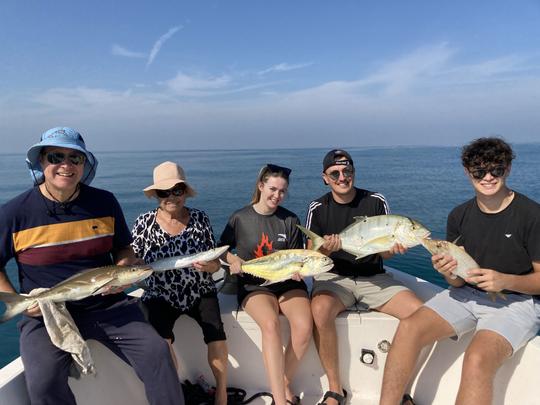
325, 308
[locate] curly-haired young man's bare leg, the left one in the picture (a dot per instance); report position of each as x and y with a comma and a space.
423, 327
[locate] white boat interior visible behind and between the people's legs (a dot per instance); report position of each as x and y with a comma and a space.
436, 381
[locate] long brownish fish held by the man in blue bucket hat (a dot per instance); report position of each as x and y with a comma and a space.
81, 285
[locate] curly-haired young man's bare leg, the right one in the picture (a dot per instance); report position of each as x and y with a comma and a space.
485, 354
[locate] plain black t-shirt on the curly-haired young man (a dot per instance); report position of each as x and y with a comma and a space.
508, 241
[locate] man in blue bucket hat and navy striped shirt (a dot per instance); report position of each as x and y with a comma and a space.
59, 228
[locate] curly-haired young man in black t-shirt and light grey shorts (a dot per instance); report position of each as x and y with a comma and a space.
500, 229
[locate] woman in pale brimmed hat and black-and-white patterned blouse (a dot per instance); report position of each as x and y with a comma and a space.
173, 229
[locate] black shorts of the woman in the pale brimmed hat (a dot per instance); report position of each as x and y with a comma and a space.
205, 312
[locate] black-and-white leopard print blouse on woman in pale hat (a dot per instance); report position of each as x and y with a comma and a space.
182, 287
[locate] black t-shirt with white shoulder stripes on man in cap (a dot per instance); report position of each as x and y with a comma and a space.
326, 216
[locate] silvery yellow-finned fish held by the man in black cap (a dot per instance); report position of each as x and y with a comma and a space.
370, 235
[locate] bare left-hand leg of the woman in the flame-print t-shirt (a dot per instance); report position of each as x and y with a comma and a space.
264, 310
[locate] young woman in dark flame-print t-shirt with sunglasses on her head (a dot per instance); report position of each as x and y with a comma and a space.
256, 230
